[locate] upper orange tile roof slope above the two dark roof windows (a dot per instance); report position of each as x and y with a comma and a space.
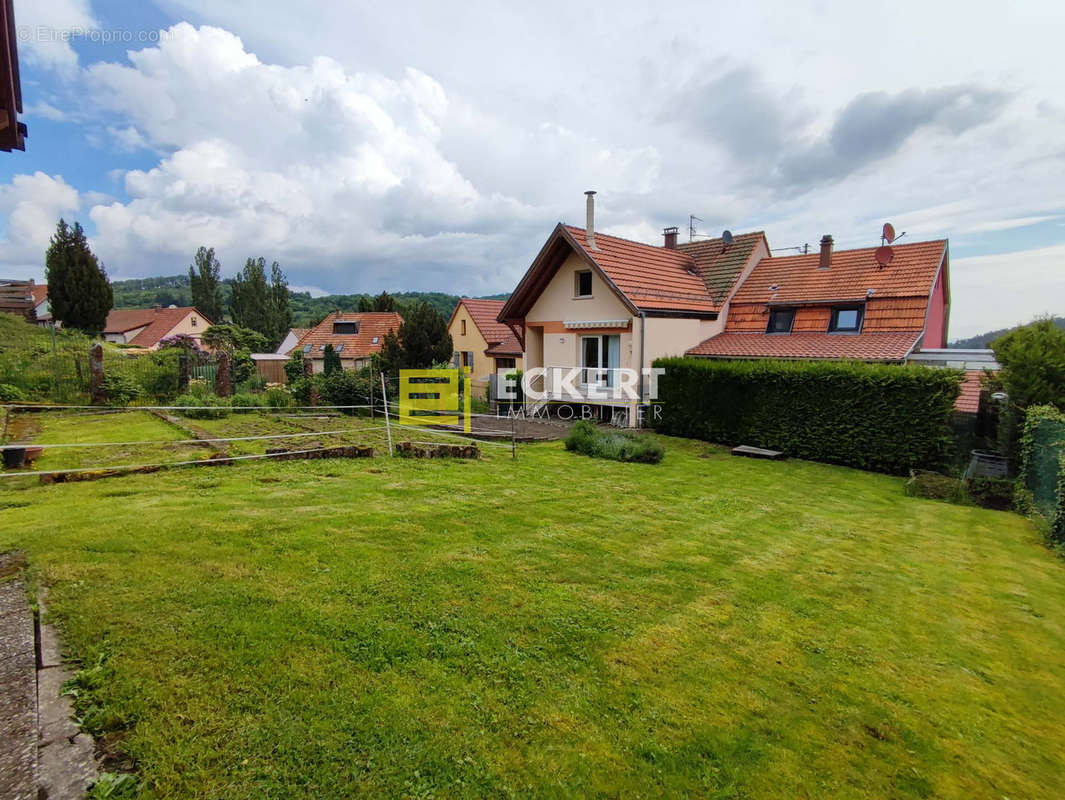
851, 275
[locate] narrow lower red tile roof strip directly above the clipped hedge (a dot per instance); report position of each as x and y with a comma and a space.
860, 347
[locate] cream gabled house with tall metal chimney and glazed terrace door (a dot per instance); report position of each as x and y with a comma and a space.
602, 303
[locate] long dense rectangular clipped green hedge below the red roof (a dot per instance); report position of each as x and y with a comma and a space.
886, 418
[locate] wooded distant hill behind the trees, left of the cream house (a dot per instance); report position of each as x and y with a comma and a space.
174, 290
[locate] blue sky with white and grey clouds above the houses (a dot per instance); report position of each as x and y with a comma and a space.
434, 146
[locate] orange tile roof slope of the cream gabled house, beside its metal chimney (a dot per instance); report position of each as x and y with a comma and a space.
651, 277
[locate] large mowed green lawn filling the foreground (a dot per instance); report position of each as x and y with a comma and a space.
556, 627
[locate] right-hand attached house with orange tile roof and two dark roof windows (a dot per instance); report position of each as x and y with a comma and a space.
840, 305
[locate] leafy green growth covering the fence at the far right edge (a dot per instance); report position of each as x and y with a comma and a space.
1043, 466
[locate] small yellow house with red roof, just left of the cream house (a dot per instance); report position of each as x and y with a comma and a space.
481, 342
